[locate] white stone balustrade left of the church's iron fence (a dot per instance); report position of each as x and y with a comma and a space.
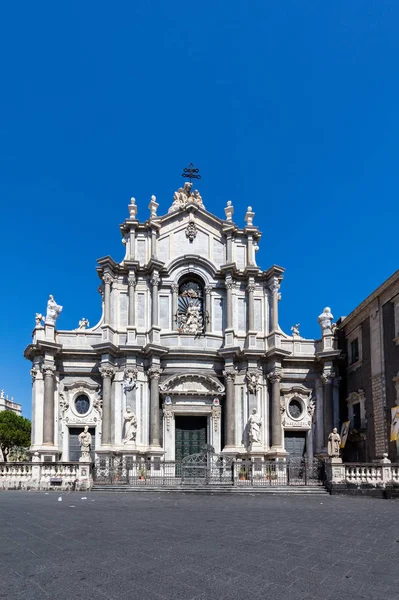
44, 476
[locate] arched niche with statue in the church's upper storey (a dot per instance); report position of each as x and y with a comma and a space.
190, 308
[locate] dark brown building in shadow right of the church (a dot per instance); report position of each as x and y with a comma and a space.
369, 339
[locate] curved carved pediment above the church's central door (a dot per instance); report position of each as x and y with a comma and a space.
191, 384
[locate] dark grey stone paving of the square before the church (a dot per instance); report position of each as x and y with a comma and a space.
170, 546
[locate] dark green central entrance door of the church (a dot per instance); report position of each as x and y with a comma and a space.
191, 435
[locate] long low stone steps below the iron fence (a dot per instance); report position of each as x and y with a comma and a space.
294, 489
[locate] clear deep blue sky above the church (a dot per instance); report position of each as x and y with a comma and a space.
290, 107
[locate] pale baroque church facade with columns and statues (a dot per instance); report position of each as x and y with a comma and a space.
188, 352
